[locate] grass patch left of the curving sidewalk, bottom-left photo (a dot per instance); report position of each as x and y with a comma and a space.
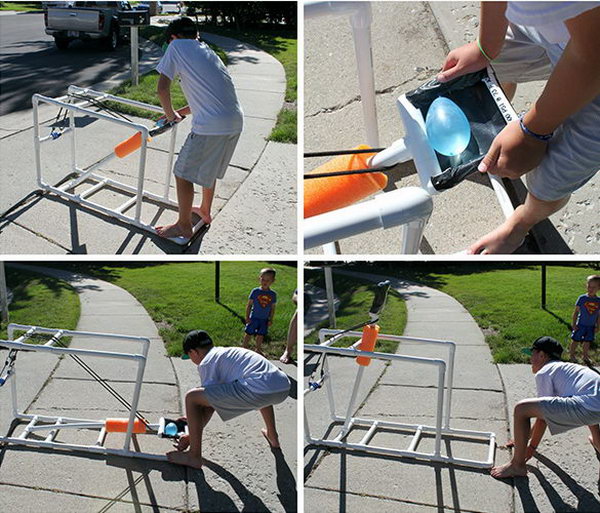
41, 301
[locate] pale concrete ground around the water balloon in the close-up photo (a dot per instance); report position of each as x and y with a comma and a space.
409, 43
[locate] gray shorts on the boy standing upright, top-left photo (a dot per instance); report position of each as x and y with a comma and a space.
204, 158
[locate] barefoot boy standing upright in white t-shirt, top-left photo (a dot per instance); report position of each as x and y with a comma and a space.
217, 120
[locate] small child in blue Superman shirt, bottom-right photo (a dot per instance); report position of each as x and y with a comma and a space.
586, 318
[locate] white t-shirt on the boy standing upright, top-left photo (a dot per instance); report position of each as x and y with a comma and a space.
206, 85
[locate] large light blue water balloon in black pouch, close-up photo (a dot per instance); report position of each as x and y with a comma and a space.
448, 128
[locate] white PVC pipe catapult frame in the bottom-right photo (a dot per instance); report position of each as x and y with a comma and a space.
443, 404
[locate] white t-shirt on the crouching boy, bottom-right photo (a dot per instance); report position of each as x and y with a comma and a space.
562, 379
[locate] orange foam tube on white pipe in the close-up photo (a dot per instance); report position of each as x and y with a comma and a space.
325, 194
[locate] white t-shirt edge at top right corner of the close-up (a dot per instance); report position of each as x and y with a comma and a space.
547, 17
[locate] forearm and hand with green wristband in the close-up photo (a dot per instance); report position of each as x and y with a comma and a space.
469, 58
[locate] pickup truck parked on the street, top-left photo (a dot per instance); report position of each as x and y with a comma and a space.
86, 20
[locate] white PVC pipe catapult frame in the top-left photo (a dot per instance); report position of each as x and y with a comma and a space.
138, 192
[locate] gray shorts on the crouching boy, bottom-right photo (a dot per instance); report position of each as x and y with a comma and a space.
564, 413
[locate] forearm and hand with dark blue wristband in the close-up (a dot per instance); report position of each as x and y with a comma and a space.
574, 82
